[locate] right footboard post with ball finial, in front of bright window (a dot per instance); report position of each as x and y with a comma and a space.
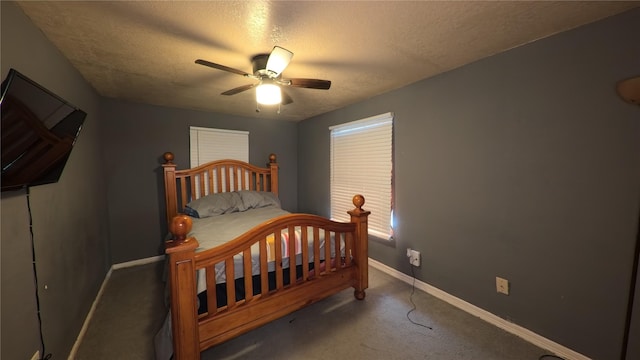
359, 217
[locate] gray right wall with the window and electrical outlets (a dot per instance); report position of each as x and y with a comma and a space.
524, 165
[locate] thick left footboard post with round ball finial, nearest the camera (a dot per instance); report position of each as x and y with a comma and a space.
182, 270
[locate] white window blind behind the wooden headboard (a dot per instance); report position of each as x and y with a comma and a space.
207, 144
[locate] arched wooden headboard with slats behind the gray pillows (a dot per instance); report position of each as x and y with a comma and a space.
184, 186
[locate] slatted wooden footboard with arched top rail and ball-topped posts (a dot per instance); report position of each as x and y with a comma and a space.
327, 274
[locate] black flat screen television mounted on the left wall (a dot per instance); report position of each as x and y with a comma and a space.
38, 131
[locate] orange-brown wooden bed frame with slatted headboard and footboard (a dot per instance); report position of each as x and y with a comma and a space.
193, 332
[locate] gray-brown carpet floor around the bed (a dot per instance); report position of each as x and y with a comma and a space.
131, 310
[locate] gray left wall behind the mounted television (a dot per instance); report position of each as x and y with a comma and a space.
69, 217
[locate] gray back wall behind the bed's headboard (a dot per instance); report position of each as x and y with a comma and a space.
135, 137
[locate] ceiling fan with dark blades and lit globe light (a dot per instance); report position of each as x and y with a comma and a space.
267, 69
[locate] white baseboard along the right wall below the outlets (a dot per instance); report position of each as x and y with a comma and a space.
495, 320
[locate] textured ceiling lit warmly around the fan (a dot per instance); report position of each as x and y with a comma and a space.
144, 51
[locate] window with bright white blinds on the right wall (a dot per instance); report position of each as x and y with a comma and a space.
362, 163
